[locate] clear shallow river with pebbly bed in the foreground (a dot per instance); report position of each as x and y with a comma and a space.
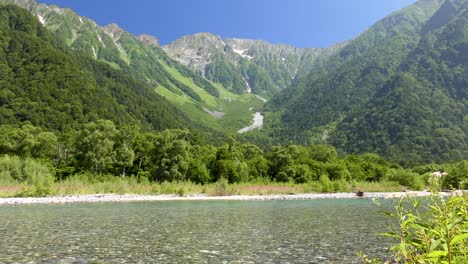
311, 231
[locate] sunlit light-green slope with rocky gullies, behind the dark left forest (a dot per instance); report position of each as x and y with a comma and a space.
141, 57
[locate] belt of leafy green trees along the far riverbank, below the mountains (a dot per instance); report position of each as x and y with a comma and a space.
34, 155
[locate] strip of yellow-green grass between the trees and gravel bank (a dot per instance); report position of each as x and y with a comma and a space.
80, 184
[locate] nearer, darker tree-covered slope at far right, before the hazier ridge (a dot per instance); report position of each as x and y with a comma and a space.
422, 113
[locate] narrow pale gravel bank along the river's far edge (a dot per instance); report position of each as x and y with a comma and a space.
96, 198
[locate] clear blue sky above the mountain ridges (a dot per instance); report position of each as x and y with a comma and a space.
301, 23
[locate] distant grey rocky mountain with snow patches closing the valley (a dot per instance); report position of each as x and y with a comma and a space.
243, 65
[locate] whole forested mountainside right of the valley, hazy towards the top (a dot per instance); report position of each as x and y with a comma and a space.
399, 89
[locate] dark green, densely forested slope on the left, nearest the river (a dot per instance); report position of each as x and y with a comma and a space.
44, 83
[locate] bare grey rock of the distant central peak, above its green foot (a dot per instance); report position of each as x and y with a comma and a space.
282, 63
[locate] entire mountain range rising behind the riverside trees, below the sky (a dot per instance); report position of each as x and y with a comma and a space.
399, 89
